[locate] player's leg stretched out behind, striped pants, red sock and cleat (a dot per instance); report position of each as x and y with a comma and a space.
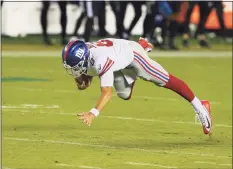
152, 71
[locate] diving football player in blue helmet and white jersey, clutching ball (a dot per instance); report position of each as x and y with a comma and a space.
118, 63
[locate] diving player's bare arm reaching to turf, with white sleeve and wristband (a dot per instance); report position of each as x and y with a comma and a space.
106, 81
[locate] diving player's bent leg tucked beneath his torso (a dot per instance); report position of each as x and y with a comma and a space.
123, 89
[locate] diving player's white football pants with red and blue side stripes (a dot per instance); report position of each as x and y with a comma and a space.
142, 67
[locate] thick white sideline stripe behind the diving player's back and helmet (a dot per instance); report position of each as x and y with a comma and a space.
154, 54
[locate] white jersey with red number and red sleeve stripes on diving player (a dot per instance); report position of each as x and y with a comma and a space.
107, 56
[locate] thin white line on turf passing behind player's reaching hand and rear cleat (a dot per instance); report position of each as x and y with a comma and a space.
123, 118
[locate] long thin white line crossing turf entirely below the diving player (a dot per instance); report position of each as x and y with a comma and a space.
116, 148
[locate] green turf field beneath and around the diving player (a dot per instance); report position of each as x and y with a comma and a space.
155, 129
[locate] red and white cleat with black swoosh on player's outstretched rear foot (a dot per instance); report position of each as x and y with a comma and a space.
205, 117
